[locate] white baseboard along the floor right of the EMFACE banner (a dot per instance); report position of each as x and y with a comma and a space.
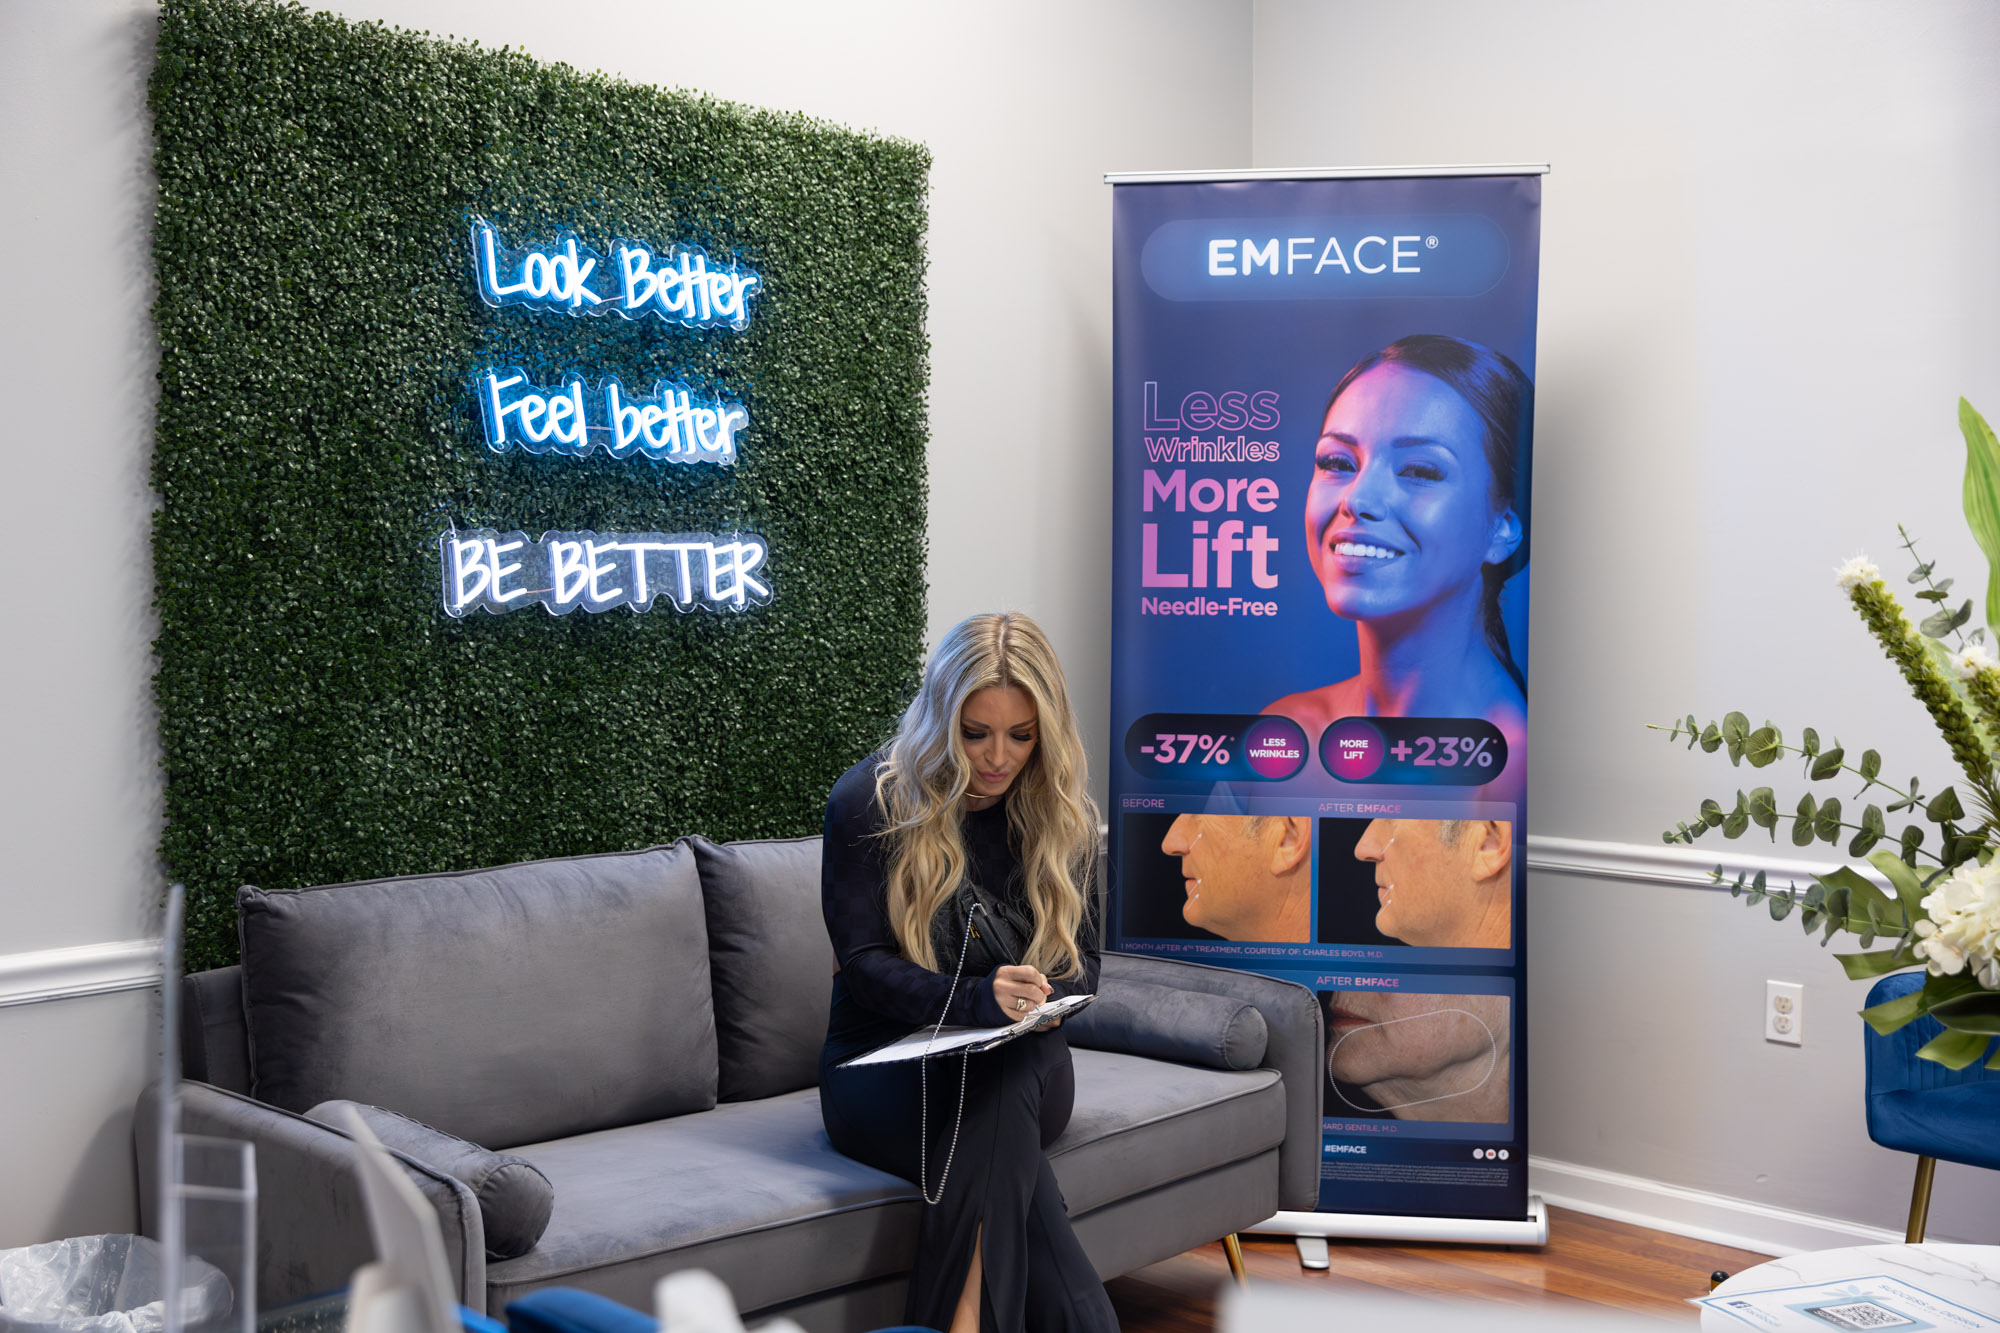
1693, 1212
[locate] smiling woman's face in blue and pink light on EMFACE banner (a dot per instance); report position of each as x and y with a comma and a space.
1399, 513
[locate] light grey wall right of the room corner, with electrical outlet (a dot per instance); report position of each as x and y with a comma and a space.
1767, 277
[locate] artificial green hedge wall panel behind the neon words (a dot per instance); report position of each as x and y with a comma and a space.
319, 325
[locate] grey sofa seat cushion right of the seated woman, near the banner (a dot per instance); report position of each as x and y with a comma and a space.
1143, 1124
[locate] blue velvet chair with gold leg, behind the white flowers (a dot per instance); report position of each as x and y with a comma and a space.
1925, 1108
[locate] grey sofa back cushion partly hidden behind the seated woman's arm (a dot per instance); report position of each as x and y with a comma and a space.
771, 962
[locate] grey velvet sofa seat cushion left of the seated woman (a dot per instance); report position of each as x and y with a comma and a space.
751, 1192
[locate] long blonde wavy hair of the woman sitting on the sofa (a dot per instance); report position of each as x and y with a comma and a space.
925, 778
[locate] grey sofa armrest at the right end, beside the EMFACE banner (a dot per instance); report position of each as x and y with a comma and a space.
1297, 1050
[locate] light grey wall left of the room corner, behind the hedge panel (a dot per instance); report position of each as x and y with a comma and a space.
1023, 105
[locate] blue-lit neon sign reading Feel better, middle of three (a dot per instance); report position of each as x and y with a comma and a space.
669, 425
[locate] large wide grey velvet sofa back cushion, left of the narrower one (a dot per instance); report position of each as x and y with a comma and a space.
511, 1006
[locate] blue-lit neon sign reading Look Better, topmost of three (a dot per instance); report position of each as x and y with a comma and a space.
633, 281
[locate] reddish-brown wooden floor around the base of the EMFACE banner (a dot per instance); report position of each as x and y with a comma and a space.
1589, 1262
